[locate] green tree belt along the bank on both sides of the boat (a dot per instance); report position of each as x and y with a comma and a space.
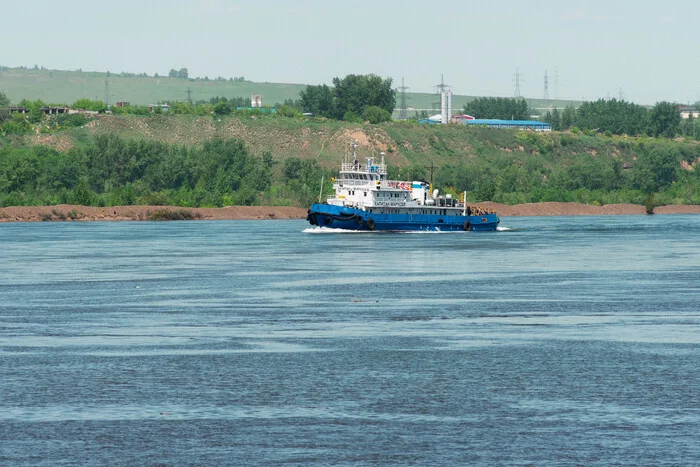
108, 171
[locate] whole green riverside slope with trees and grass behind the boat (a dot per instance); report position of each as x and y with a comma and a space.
269, 159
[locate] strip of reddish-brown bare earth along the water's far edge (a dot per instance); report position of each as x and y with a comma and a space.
67, 212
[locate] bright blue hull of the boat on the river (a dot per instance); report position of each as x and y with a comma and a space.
346, 218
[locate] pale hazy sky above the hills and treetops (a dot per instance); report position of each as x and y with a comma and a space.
650, 50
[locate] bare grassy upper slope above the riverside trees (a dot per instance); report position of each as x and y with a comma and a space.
327, 141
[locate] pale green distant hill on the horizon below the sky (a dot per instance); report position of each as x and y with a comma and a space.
65, 87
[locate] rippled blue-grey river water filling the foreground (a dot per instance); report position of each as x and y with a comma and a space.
558, 340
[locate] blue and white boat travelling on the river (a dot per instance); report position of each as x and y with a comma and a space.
365, 199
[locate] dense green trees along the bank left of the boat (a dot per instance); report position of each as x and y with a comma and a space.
111, 171
